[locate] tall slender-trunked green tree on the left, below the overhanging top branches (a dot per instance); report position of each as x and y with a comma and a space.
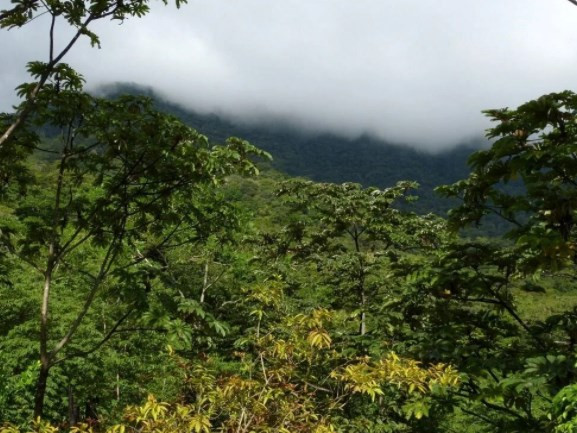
125, 186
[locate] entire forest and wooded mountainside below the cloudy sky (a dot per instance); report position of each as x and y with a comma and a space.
160, 276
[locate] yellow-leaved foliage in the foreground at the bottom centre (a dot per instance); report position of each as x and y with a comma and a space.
286, 378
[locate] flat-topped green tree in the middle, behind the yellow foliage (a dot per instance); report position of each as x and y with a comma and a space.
352, 233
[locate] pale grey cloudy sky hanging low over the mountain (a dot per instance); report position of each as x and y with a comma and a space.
409, 71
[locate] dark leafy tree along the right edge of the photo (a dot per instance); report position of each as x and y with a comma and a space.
527, 178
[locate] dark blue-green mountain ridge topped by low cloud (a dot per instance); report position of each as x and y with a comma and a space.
329, 158
